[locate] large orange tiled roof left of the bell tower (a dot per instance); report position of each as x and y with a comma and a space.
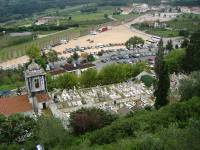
16, 104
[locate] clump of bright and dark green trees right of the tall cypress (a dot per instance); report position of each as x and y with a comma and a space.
185, 59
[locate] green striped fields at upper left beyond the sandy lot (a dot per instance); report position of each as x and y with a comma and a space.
11, 47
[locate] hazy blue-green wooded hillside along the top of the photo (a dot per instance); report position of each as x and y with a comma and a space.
18, 9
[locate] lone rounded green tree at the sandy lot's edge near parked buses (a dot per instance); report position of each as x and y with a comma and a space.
133, 42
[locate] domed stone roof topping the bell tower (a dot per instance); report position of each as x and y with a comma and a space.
34, 70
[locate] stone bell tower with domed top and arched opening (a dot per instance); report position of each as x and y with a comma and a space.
35, 83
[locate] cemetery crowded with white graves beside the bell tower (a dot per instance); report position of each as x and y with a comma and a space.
115, 97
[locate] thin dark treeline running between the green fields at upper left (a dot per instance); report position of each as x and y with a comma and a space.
39, 28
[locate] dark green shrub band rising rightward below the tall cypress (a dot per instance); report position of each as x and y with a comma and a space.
148, 121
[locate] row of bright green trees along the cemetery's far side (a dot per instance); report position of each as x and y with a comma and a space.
110, 74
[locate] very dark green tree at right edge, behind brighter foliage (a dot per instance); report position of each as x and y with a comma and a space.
191, 60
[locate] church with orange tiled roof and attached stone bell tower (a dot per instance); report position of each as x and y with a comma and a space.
36, 98
